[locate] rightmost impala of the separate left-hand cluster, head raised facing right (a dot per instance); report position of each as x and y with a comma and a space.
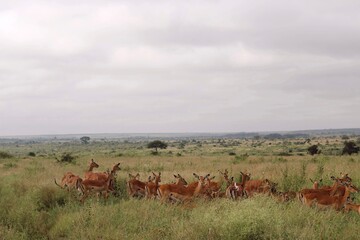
99, 186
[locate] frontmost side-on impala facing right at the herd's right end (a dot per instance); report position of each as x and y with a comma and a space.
324, 200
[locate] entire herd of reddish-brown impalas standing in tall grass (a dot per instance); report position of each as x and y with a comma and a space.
335, 196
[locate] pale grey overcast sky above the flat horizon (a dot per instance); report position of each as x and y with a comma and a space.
178, 66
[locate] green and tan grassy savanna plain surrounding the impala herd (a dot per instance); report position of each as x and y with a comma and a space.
33, 207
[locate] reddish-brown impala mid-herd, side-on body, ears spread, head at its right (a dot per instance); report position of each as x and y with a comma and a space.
194, 189
